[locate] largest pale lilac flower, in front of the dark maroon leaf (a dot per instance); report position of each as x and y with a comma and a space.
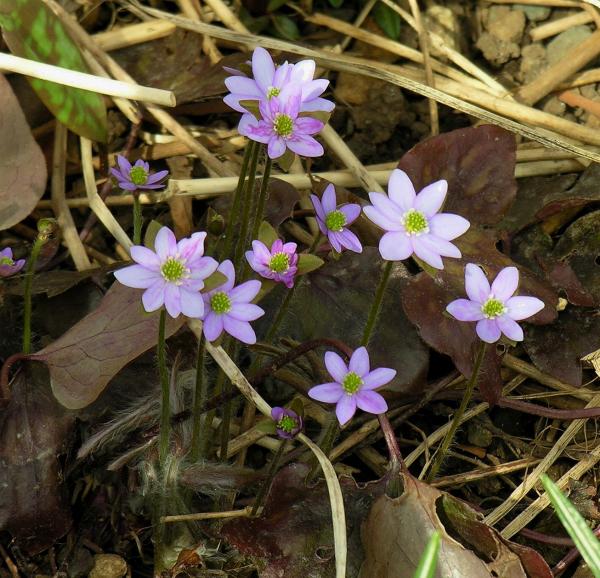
413, 222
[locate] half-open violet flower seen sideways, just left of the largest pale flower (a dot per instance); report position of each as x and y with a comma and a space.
333, 221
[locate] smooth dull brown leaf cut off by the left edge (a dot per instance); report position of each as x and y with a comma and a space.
22, 165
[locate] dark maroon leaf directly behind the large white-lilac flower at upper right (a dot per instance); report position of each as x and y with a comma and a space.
478, 164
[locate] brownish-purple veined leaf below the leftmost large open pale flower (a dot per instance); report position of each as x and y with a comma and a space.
86, 358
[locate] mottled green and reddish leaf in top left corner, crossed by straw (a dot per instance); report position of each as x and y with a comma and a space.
32, 31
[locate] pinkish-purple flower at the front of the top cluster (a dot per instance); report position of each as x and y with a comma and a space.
281, 128
